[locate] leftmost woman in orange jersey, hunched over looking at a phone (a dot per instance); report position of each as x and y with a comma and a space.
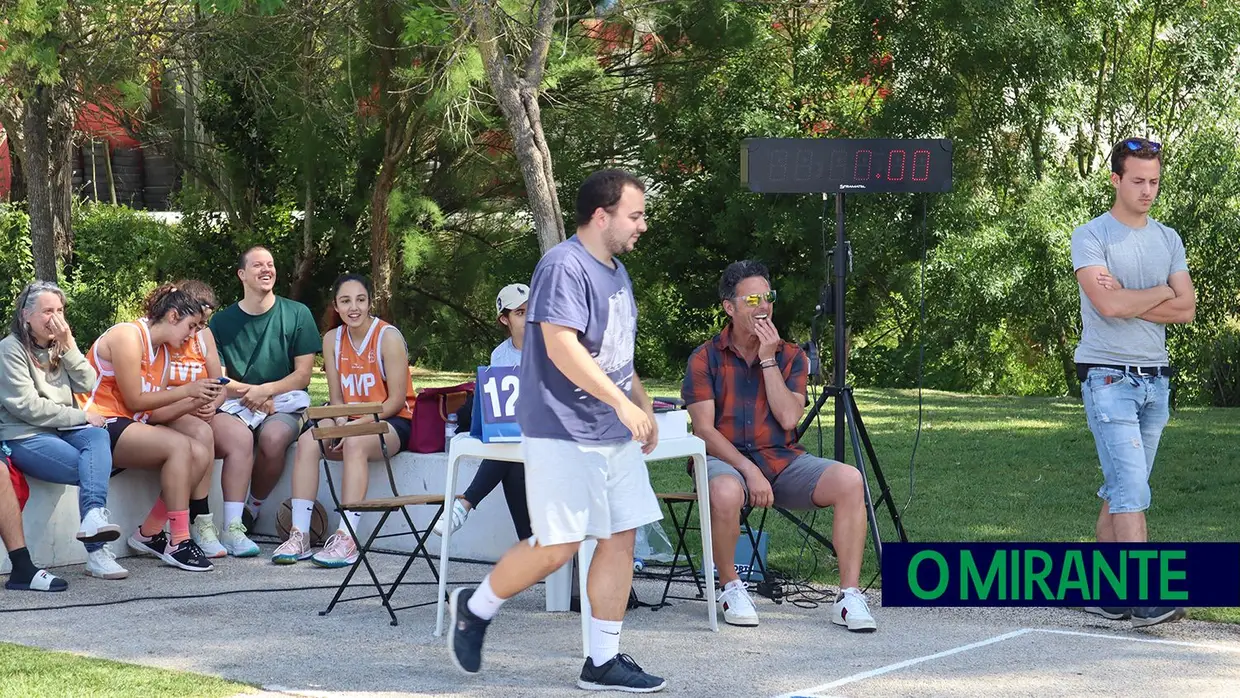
132, 360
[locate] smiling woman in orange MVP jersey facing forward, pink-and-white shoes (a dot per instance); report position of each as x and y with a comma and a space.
366, 360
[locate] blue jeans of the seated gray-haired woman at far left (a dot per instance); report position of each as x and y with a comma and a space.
80, 457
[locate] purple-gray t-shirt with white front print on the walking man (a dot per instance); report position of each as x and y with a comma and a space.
573, 289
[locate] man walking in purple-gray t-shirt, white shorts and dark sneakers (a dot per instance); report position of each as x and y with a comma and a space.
586, 422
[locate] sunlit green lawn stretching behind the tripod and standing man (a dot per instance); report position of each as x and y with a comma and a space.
1006, 469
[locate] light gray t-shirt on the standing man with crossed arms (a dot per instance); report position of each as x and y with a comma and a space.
1140, 260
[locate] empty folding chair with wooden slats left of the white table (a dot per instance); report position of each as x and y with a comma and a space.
385, 506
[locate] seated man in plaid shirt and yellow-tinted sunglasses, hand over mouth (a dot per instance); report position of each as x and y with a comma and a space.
746, 394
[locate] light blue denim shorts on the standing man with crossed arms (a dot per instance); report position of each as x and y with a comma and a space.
1127, 415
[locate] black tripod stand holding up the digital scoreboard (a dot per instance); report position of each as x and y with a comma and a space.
848, 415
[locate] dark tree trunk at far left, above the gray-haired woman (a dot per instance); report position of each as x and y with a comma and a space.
37, 135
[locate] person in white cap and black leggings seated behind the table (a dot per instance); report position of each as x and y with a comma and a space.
510, 307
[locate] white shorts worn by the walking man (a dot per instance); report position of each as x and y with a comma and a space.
578, 492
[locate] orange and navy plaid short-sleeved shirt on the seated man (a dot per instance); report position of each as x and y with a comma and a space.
742, 415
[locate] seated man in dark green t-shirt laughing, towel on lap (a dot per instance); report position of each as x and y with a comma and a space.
267, 347
